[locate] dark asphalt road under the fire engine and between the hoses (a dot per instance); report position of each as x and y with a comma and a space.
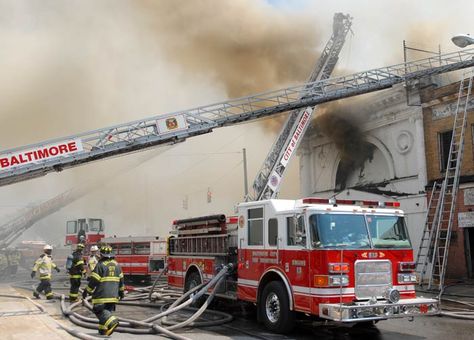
246, 327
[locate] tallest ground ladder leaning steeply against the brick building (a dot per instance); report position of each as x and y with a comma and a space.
449, 190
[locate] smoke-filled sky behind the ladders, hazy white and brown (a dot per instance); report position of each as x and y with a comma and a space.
67, 67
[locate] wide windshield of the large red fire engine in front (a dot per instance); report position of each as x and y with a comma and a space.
329, 230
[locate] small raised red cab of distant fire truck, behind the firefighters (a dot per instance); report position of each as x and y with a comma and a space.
86, 230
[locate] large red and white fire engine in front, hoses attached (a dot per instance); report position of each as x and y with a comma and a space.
344, 261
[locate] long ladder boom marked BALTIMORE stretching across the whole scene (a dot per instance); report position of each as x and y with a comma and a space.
36, 160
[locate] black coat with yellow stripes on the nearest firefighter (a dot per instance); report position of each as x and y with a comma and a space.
105, 282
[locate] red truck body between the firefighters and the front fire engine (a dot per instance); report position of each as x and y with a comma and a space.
139, 257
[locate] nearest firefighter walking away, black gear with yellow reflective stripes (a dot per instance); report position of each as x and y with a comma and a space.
107, 287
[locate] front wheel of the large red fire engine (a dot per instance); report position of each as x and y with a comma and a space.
275, 308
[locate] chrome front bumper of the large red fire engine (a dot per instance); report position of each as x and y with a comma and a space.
381, 310
